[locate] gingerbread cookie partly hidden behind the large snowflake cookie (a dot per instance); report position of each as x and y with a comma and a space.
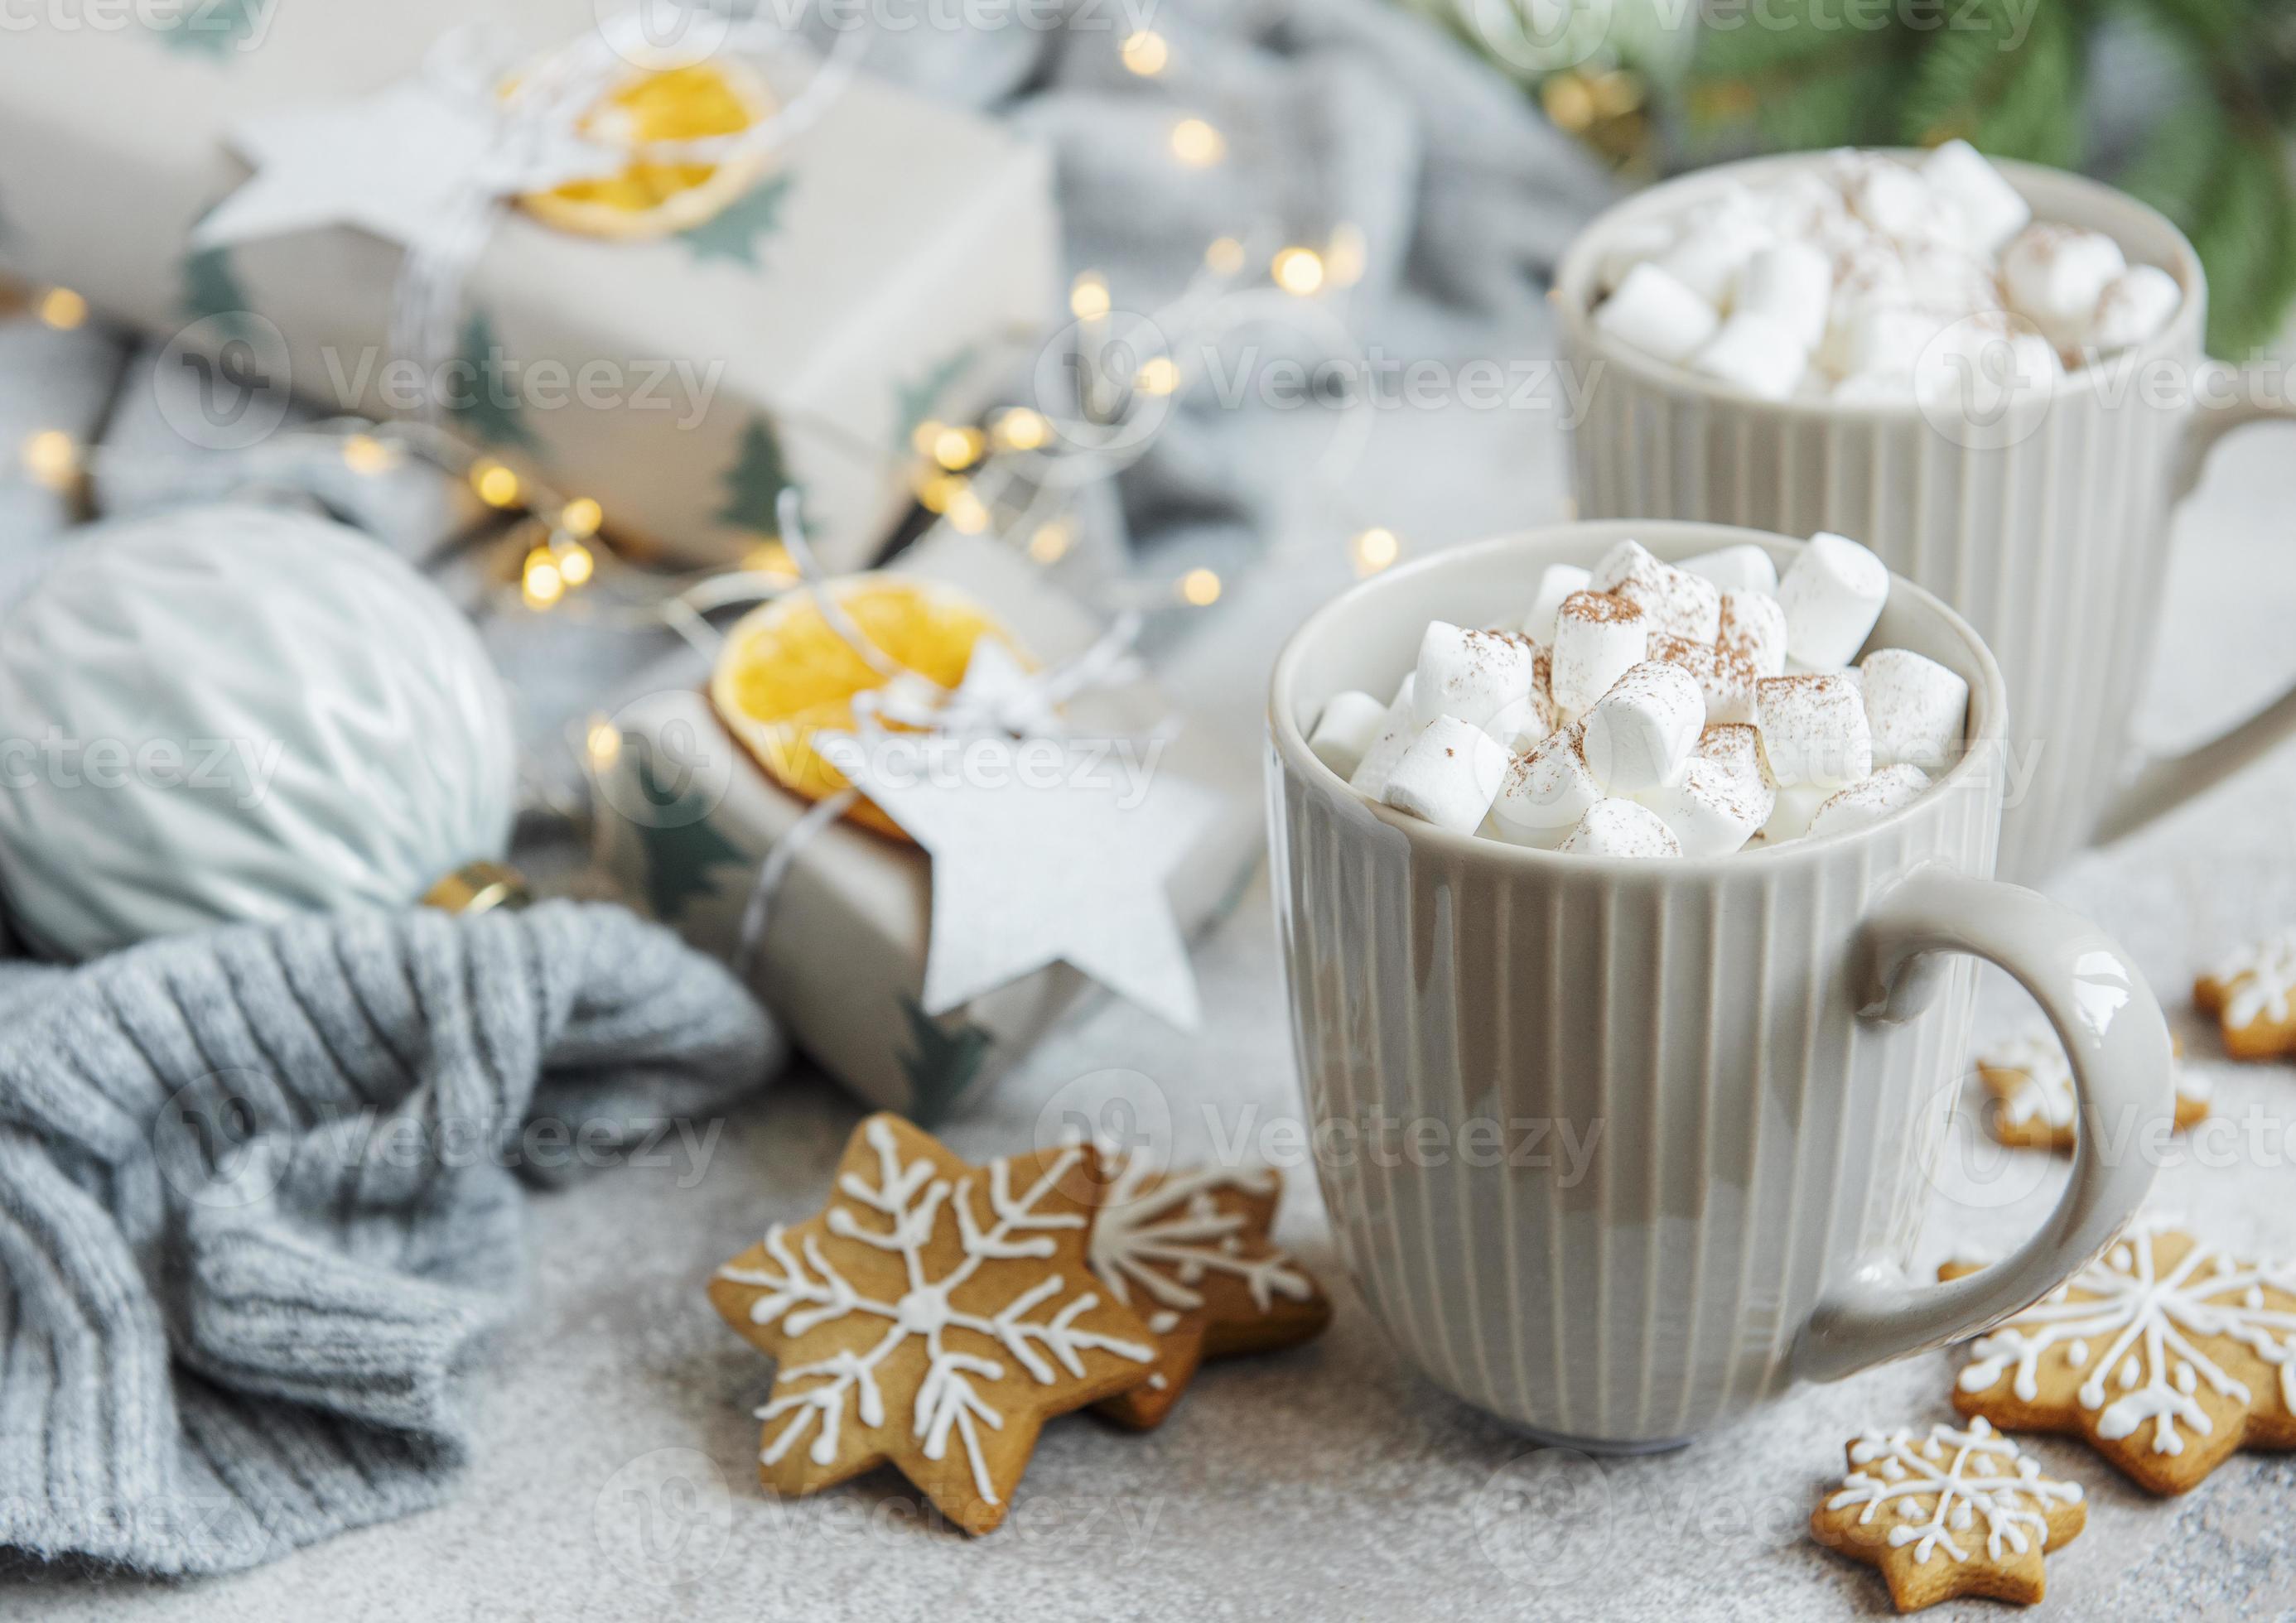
1193, 1255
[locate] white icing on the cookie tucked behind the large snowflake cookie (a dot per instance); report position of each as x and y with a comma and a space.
1168, 1238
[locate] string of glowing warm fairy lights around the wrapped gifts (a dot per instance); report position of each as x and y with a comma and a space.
1011, 476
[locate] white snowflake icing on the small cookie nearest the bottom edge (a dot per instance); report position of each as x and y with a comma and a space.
1937, 1498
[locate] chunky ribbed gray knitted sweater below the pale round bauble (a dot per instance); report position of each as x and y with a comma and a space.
258, 1202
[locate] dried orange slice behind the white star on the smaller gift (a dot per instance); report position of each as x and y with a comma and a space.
786, 674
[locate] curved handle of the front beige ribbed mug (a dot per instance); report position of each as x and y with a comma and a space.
2118, 1043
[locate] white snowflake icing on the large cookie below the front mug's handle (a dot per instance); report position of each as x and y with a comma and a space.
2146, 1328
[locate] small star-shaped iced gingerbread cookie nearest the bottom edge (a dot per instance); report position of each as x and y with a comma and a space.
1953, 1514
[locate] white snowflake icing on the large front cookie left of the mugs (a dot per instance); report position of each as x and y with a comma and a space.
910, 1202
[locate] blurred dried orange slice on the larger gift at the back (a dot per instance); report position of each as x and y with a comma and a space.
660, 199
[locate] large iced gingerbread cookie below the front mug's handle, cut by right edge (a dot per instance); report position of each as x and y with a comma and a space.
2166, 1356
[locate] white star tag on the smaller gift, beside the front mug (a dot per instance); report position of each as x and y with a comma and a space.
1044, 851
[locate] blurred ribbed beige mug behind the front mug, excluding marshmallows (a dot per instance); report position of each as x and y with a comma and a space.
2045, 522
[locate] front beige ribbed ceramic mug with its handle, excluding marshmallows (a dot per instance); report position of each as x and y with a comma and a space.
1620, 1149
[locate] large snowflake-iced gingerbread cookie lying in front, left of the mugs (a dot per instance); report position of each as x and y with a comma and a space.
933, 1317
